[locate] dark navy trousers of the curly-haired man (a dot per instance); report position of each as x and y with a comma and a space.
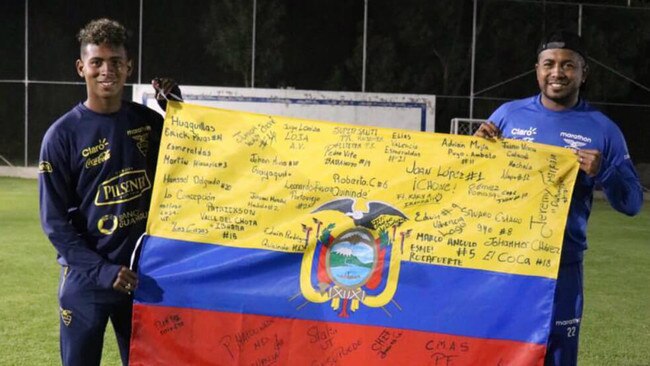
84, 311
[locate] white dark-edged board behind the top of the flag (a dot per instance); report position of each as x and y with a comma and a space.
406, 111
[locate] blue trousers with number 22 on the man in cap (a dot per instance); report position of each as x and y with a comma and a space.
562, 347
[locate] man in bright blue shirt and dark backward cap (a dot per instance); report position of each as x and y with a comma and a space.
558, 116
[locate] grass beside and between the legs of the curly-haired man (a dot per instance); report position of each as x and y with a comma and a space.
29, 322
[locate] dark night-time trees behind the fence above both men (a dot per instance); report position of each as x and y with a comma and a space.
413, 46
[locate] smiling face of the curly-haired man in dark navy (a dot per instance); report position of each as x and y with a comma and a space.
105, 68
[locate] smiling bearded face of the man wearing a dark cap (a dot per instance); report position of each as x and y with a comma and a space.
560, 73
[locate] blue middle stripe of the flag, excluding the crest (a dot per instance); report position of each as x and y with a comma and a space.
431, 298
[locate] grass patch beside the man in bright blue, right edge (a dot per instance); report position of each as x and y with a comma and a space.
616, 327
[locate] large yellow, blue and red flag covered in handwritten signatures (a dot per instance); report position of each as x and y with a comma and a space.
359, 246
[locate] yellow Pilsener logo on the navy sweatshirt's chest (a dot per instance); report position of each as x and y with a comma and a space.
123, 188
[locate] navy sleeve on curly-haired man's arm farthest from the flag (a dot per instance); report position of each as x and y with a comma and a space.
58, 203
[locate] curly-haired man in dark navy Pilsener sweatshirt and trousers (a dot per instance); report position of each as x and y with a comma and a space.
96, 173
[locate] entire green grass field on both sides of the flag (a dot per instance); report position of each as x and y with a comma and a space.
615, 330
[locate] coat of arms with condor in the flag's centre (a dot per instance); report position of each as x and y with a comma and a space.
357, 265
